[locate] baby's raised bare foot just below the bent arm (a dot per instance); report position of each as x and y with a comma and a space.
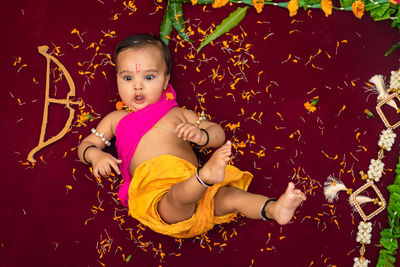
213, 171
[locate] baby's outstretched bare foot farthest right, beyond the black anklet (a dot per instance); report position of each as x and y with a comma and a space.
283, 209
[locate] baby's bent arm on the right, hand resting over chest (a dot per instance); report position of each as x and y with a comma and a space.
190, 132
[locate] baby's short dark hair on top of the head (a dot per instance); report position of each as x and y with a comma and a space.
142, 40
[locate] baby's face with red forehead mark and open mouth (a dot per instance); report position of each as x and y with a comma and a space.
141, 76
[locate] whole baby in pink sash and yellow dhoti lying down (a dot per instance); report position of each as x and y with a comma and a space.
164, 187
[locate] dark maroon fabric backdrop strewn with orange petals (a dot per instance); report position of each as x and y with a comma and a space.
44, 224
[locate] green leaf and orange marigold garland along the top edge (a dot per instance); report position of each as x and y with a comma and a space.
379, 10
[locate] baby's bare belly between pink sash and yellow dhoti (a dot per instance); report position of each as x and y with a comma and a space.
150, 147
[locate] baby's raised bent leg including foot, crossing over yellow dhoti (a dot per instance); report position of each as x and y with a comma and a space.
179, 203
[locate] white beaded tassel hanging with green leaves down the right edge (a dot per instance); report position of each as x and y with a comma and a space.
374, 174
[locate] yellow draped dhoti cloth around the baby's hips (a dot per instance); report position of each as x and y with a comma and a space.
154, 177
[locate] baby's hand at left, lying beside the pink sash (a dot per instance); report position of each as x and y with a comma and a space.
102, 163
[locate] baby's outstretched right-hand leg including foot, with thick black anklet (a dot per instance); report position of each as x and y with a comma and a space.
232, 199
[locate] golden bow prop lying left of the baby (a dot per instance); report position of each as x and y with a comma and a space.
67, 102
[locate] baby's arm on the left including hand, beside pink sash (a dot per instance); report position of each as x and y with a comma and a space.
90, 149
